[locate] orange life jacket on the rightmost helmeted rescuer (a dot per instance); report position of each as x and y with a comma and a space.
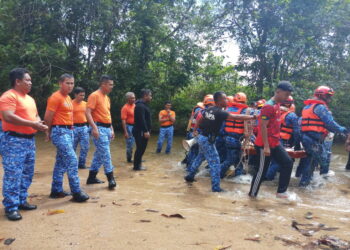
310, 122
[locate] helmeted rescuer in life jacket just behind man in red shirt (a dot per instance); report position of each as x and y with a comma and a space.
290, 133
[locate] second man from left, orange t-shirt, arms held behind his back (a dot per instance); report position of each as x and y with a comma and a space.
59, 118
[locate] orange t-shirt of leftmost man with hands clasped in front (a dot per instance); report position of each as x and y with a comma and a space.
23, 105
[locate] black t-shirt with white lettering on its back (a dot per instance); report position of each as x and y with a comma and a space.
212, 120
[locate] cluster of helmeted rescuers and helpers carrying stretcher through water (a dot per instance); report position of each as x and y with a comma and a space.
277, 125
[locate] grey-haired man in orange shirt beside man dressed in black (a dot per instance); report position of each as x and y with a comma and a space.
127, 115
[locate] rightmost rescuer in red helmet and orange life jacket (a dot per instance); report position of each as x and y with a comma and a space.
316, 122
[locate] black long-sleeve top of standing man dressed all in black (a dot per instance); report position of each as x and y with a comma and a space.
142, 116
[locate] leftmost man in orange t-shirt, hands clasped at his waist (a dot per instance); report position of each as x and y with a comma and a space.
20, 123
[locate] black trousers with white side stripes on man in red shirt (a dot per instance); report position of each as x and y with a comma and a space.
262, 163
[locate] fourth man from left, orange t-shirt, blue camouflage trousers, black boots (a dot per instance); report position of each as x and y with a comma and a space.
99, 117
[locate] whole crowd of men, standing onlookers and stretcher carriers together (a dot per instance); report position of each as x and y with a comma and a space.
222, 126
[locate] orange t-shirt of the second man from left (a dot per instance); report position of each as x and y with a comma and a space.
63, 108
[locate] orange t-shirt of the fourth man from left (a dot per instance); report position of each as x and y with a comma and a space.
100, 106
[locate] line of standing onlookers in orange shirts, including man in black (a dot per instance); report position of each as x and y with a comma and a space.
69, 123
